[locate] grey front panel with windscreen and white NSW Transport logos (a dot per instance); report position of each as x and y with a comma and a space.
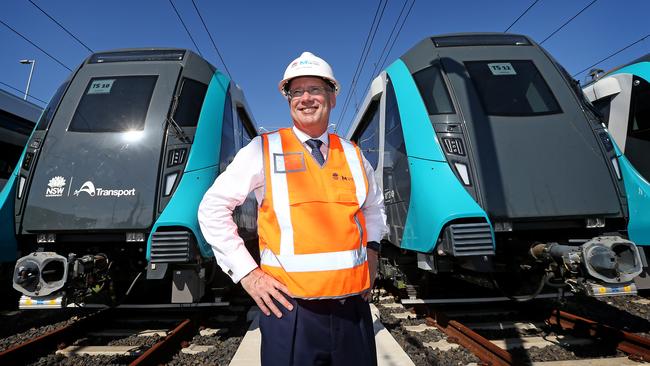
98, 166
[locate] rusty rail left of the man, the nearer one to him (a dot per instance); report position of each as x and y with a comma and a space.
159, 353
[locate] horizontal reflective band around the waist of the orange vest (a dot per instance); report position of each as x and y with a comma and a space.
315, 262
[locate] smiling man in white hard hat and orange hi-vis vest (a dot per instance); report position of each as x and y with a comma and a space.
320, 218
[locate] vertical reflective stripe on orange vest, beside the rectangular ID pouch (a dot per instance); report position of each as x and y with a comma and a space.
280, 193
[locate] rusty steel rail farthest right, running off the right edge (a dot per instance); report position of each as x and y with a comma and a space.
636, 346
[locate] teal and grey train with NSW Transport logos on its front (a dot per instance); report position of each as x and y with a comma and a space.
103, 203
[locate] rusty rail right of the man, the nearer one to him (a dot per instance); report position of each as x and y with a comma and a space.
480, 346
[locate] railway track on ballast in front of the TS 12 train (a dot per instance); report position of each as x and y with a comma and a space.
510, 335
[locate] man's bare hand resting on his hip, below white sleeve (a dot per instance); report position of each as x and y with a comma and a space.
263, 289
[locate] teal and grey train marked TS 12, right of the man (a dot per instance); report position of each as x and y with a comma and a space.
496, 169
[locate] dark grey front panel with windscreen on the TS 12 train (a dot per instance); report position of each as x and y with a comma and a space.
532, 146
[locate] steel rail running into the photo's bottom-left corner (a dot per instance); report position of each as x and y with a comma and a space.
49, 341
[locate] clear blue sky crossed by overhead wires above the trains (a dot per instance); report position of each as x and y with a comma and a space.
257, 39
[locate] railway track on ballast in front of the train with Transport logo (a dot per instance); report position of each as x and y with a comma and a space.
112, 336
